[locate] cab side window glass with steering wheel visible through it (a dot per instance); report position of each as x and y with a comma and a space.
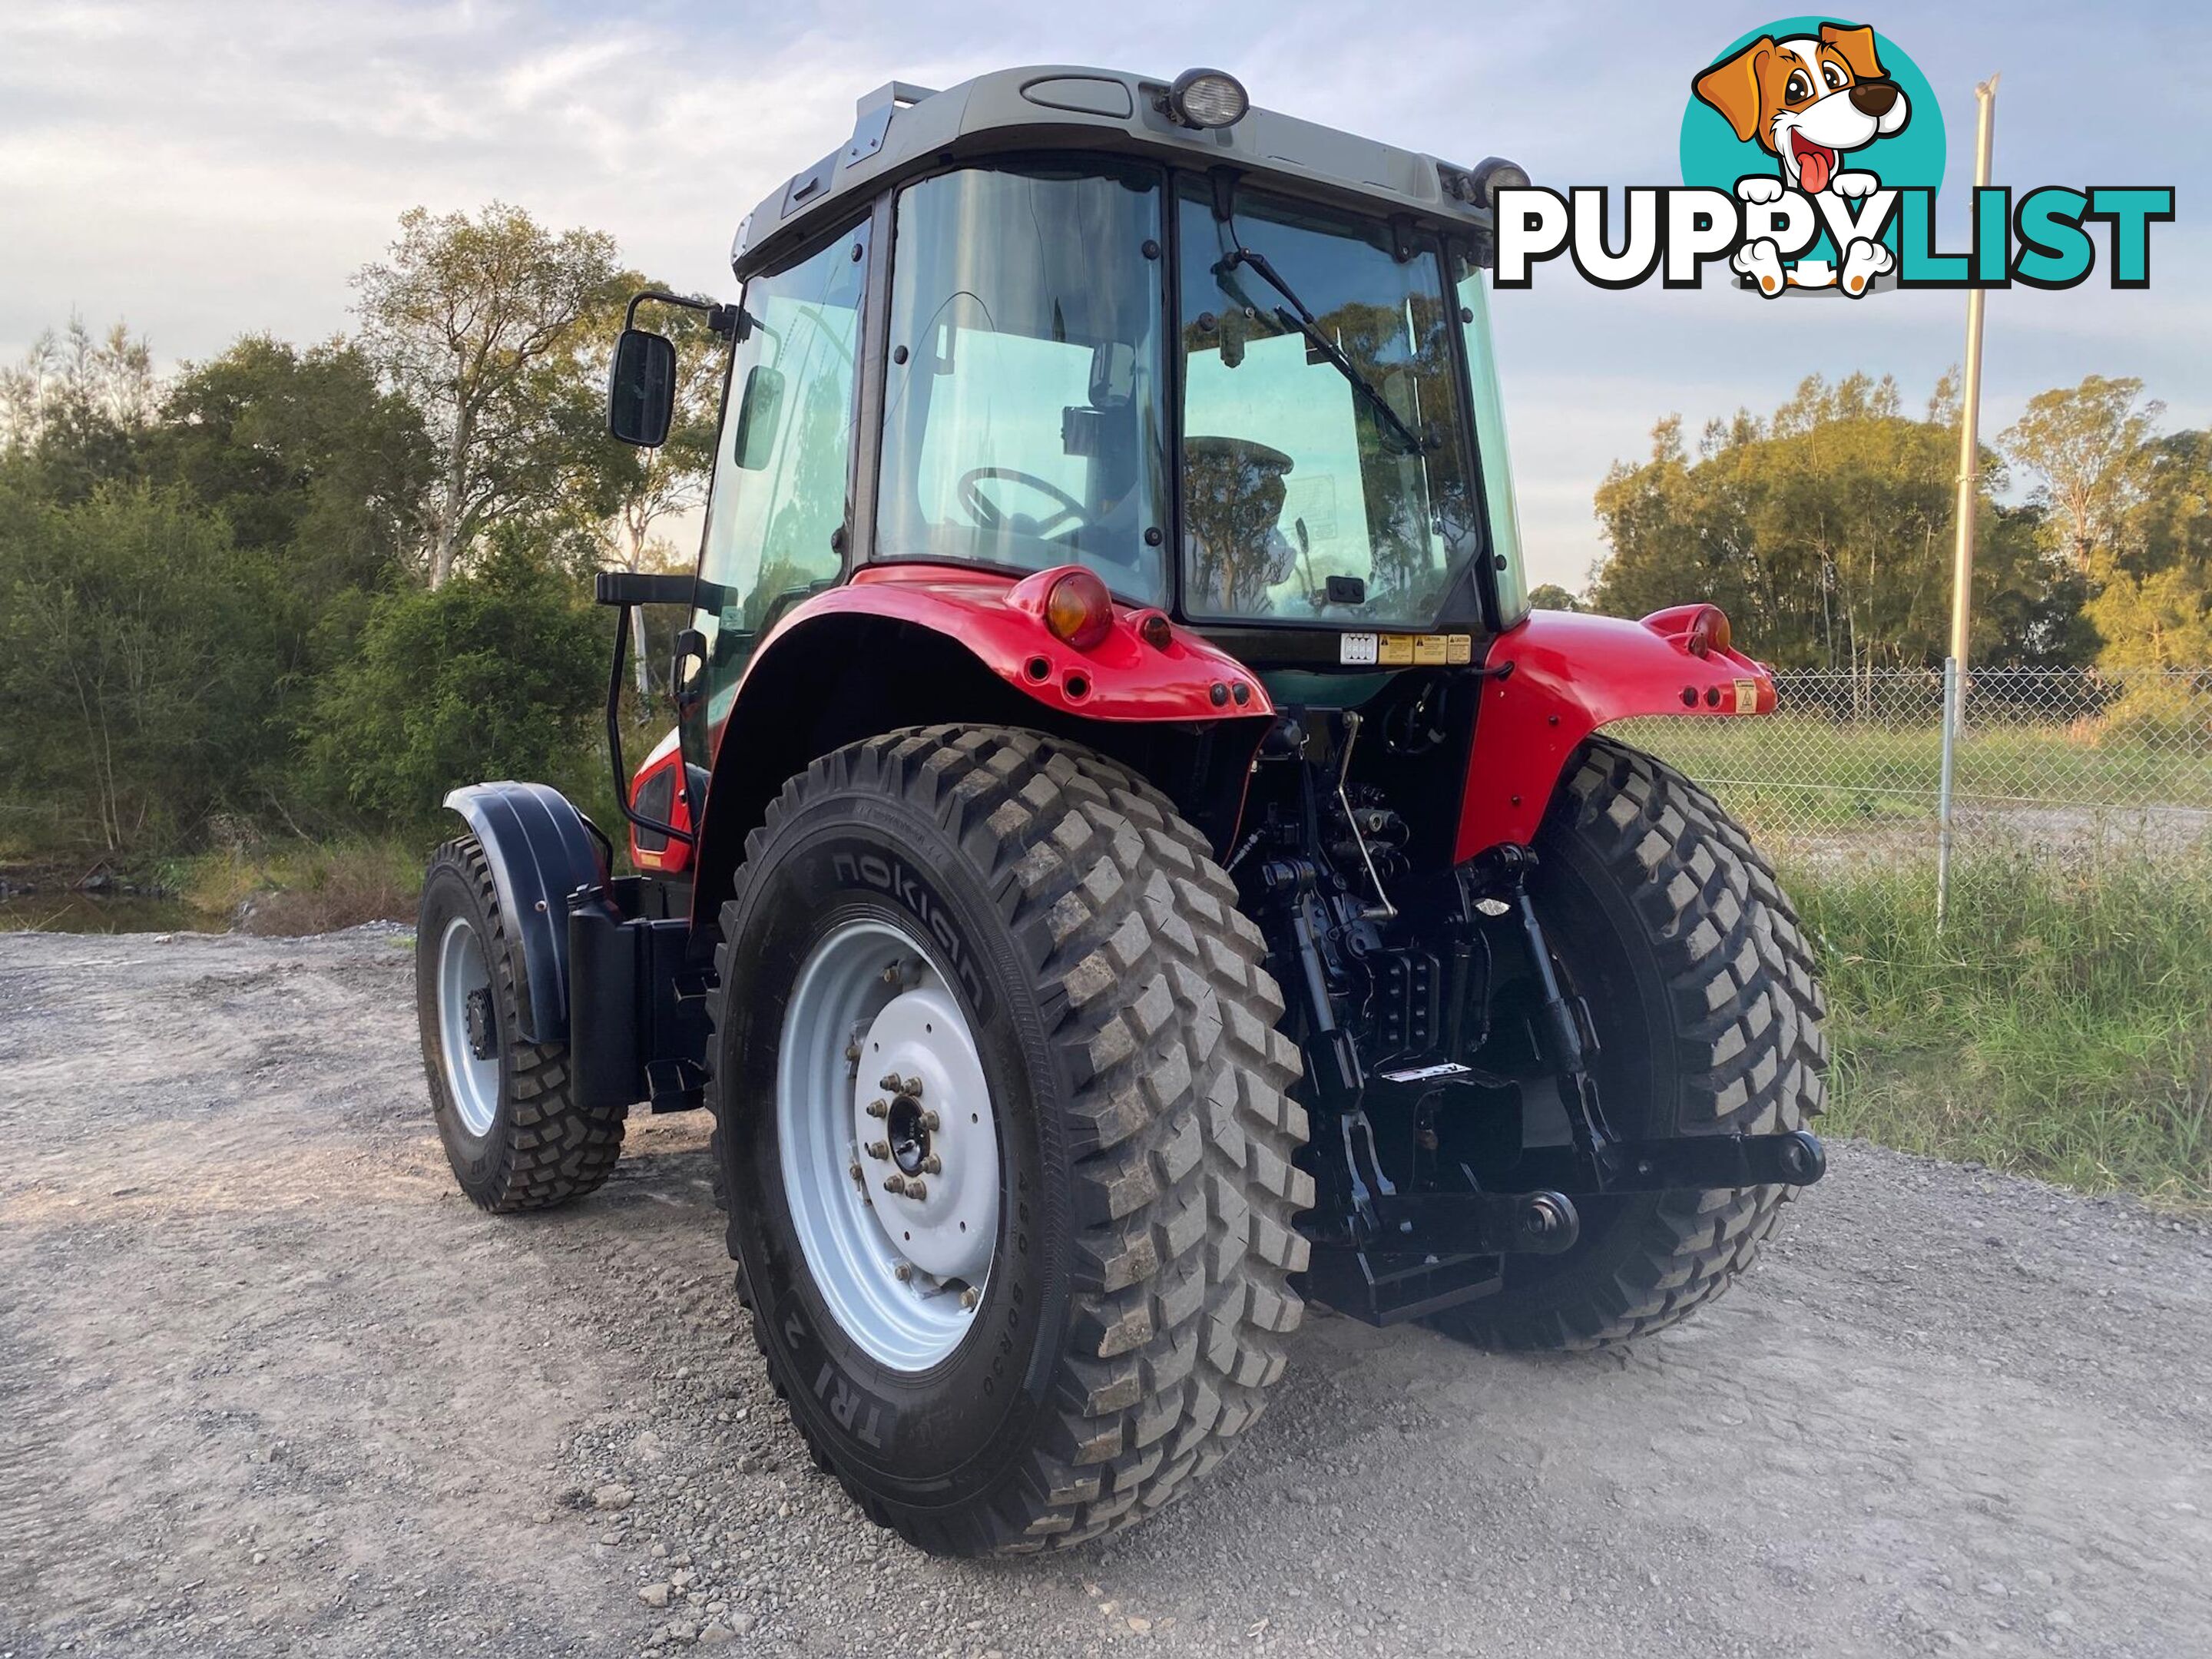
1023, 417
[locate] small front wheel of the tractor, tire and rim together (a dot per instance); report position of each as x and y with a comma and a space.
505, 1112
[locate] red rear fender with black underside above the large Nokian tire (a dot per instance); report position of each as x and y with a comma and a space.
919, 645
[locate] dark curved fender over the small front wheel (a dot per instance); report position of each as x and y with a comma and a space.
541, 855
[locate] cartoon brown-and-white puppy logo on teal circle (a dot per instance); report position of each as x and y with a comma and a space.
1815, 96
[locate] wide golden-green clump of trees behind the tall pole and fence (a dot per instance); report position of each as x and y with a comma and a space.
1826, 534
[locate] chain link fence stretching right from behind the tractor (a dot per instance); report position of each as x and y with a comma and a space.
2049, 762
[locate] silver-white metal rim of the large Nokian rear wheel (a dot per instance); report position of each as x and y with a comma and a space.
888, 1145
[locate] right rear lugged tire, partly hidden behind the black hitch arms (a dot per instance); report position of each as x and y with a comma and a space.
1702, 992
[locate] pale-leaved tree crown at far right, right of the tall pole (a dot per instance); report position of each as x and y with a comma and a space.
2087, 450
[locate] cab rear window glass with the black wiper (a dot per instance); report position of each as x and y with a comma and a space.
1322, 419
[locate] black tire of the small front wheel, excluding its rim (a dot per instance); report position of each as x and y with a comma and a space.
541, 1147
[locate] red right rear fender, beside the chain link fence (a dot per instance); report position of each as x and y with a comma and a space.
1558, 678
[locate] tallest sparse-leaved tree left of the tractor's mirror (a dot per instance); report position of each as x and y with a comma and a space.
483, 326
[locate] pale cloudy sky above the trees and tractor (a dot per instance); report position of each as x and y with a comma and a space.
205, 169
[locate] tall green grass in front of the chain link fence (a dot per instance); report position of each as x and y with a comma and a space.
2060, 1025
